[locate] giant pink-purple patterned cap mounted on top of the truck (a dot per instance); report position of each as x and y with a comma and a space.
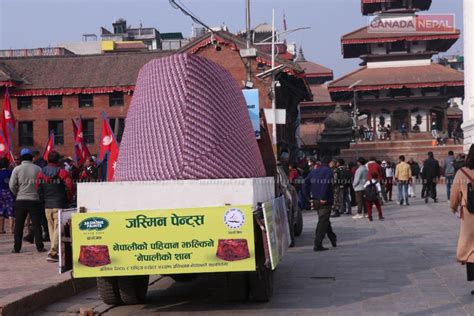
188, 120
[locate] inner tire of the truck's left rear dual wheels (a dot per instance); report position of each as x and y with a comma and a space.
133, 288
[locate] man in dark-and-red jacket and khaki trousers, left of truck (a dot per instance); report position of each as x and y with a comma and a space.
55, 189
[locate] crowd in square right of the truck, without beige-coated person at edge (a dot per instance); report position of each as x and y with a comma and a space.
334, 187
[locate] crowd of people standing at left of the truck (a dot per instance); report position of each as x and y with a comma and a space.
33, 189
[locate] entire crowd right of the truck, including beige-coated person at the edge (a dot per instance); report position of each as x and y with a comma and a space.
333, 187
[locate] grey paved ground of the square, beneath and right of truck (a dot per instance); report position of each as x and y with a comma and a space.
404, 265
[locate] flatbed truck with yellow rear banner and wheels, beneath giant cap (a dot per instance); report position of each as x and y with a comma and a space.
116, 215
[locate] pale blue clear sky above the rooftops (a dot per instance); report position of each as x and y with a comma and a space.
42, 23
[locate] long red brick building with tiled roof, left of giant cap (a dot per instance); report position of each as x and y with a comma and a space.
47, 92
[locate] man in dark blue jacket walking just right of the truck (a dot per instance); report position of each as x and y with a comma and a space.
318, 187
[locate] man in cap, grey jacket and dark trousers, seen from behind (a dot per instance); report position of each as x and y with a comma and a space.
23, 186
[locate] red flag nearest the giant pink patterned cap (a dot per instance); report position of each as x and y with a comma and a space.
109, 148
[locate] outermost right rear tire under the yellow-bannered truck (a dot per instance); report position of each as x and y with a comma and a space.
261, 284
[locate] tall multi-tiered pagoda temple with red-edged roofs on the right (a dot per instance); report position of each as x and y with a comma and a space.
398, 83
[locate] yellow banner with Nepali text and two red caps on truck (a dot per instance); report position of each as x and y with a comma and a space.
198, 240
